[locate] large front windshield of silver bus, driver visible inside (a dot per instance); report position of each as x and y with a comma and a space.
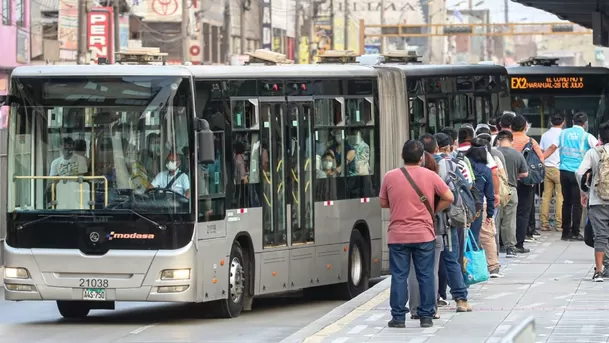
100, 143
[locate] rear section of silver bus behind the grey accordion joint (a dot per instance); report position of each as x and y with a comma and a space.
444, 95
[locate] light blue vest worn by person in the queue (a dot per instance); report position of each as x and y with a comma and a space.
573, 144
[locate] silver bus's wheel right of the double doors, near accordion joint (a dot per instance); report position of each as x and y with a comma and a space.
357, 272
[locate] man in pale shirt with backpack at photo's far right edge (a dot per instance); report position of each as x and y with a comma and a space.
596, 160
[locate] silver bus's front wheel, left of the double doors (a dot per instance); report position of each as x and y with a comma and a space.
232, 306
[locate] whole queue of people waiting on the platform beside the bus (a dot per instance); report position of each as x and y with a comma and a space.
503, 167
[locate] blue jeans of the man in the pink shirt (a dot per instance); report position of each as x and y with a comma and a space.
423, 256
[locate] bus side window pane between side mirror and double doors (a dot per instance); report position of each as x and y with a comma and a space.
211, 193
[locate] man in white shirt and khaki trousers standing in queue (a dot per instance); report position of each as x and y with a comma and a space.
551, 181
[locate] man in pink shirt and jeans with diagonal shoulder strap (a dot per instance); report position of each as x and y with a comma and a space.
413, 195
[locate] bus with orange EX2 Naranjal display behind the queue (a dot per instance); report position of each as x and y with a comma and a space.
540, 87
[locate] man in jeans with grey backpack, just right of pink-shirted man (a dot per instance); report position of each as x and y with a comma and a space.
449, 172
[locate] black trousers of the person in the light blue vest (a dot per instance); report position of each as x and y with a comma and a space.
571, 206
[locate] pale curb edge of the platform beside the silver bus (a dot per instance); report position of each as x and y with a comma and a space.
338, 313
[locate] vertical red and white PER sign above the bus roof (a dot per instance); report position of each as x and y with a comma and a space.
100, 34
